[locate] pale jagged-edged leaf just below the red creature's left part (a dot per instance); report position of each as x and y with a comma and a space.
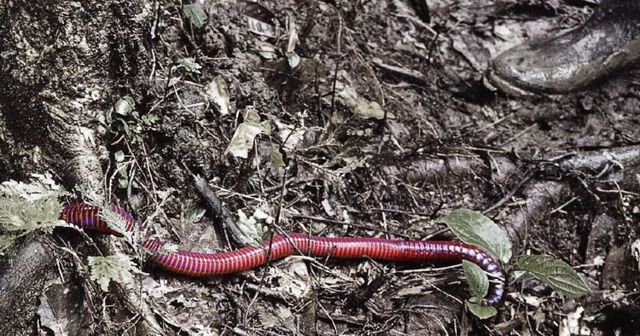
117, 267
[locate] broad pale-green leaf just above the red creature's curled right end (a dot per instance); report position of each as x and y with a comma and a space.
473, 227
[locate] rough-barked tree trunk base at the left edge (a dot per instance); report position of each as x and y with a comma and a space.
62, 65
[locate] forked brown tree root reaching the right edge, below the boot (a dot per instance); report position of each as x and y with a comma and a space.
605, 165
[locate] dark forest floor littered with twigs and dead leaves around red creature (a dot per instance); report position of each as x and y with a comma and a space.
384, 126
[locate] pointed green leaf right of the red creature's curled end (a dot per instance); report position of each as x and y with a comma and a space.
555, 273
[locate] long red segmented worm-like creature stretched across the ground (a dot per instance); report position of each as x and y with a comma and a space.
207, 264
